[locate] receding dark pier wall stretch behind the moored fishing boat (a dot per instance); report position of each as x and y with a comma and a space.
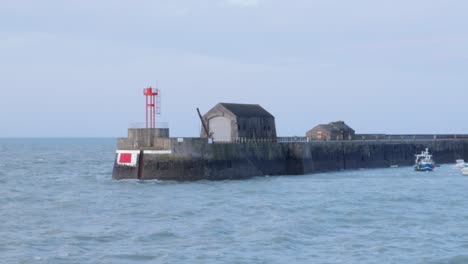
329, 156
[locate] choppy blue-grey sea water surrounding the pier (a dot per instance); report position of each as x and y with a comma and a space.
58, 204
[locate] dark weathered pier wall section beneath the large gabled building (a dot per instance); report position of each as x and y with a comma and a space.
195, 160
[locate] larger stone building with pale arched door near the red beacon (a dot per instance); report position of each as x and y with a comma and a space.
227, 122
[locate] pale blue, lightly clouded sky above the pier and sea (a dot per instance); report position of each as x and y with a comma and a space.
77, 68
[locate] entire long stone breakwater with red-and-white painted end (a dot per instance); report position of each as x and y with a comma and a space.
191, 159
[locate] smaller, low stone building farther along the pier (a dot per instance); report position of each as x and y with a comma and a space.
332, 131
